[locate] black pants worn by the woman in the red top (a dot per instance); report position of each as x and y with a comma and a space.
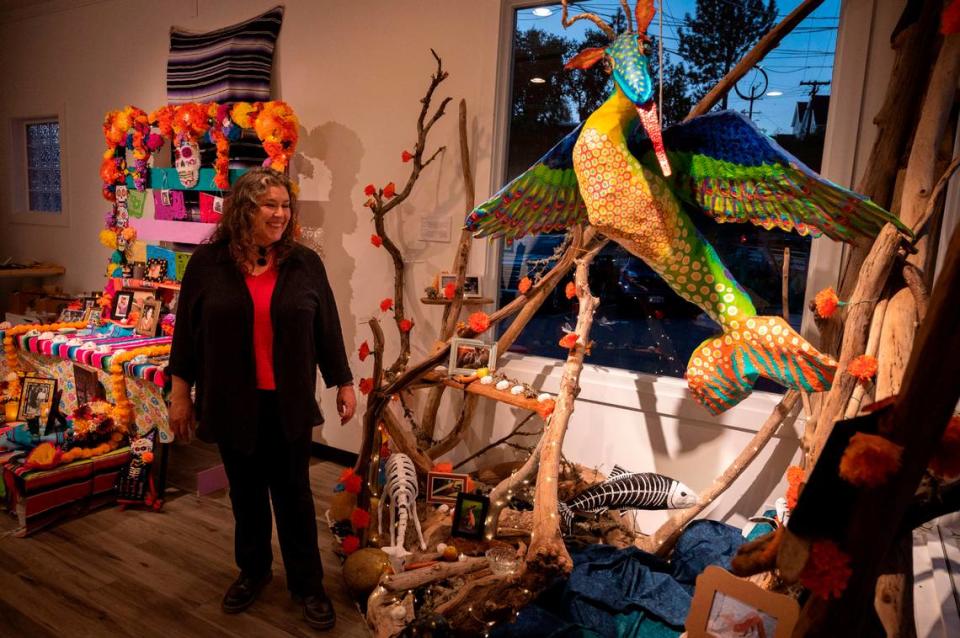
277, 470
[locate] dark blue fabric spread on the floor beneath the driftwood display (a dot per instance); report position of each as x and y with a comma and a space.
627, 593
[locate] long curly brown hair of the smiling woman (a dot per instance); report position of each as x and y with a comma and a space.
240, 208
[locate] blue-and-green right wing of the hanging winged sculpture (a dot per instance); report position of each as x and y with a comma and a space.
726, 167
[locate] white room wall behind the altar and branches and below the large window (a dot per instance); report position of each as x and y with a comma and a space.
354, 71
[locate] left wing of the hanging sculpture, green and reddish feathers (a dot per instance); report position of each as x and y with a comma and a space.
545, 198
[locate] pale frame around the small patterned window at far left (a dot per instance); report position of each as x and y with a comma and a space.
20, 212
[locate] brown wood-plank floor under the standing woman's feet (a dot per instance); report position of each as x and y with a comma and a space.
139, 573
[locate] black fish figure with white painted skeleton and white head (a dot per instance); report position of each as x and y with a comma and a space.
629, 490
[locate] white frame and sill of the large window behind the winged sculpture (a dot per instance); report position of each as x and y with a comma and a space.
668, 395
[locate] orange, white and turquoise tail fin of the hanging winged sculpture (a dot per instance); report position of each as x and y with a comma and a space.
723, 369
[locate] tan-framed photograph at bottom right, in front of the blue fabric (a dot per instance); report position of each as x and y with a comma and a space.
725, 605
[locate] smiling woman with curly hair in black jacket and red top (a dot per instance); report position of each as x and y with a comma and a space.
255, 319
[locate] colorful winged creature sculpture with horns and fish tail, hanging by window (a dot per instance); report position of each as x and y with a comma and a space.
639, 187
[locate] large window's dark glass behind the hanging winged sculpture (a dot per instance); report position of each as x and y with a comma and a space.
641, 323
